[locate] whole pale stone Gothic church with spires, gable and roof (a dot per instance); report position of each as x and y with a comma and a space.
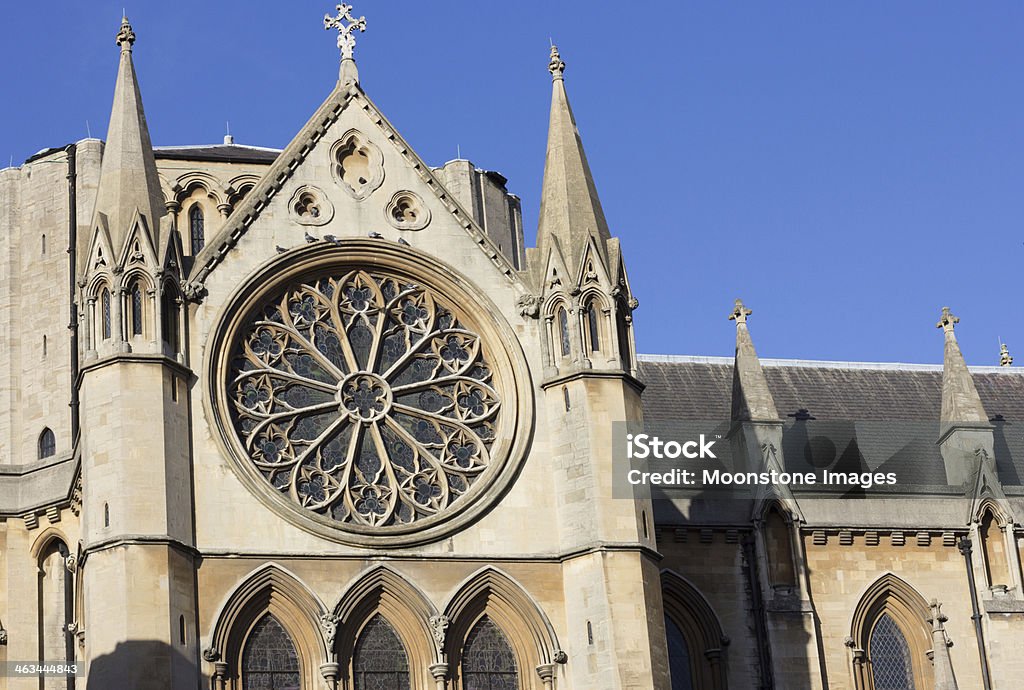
317, 418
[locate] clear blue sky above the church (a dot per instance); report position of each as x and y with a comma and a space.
846, 168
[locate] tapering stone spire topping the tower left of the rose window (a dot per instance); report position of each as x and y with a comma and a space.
129, 177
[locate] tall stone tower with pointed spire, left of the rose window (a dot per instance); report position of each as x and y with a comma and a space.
138, 516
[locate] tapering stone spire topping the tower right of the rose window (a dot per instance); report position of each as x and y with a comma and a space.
571, 210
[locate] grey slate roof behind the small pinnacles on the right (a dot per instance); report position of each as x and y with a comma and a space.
854, 408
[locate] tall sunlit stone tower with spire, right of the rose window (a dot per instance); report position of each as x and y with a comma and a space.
590, 392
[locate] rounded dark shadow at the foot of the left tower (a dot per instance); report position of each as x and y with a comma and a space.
146, 665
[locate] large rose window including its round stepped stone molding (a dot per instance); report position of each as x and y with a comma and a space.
368, 395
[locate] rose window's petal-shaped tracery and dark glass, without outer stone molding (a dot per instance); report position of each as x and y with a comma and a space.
362, 398
